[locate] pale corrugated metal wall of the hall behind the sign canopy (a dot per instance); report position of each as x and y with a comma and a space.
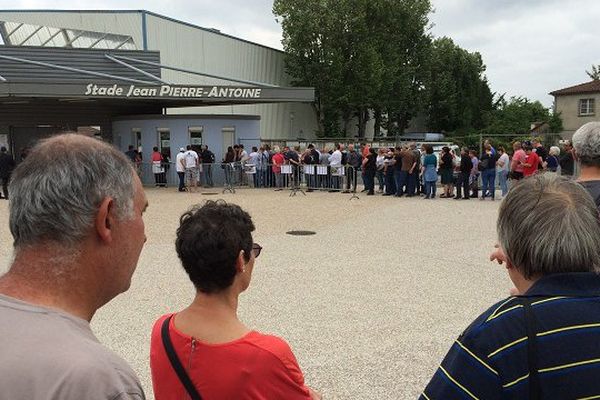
189, 47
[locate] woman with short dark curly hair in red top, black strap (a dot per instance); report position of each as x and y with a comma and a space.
223, 358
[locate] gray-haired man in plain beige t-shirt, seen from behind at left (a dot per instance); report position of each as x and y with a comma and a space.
78, 232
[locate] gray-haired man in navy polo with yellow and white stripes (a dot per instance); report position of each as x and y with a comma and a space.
541, 342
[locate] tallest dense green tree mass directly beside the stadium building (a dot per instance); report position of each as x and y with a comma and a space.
359, 55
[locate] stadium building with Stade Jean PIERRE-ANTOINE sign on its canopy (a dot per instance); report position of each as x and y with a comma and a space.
143, 79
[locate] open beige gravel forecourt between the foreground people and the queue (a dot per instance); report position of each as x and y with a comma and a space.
369, 305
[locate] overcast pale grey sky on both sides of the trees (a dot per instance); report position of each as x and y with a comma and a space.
530, 47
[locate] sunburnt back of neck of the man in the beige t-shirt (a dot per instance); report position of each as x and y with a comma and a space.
49, 283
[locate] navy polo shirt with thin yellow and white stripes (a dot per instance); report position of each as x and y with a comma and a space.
490, 359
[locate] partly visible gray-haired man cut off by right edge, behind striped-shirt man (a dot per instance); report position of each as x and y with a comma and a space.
586, 144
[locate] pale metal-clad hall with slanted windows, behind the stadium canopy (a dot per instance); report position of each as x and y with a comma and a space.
199, 56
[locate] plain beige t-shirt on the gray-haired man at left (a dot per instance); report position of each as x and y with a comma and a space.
49, 355
